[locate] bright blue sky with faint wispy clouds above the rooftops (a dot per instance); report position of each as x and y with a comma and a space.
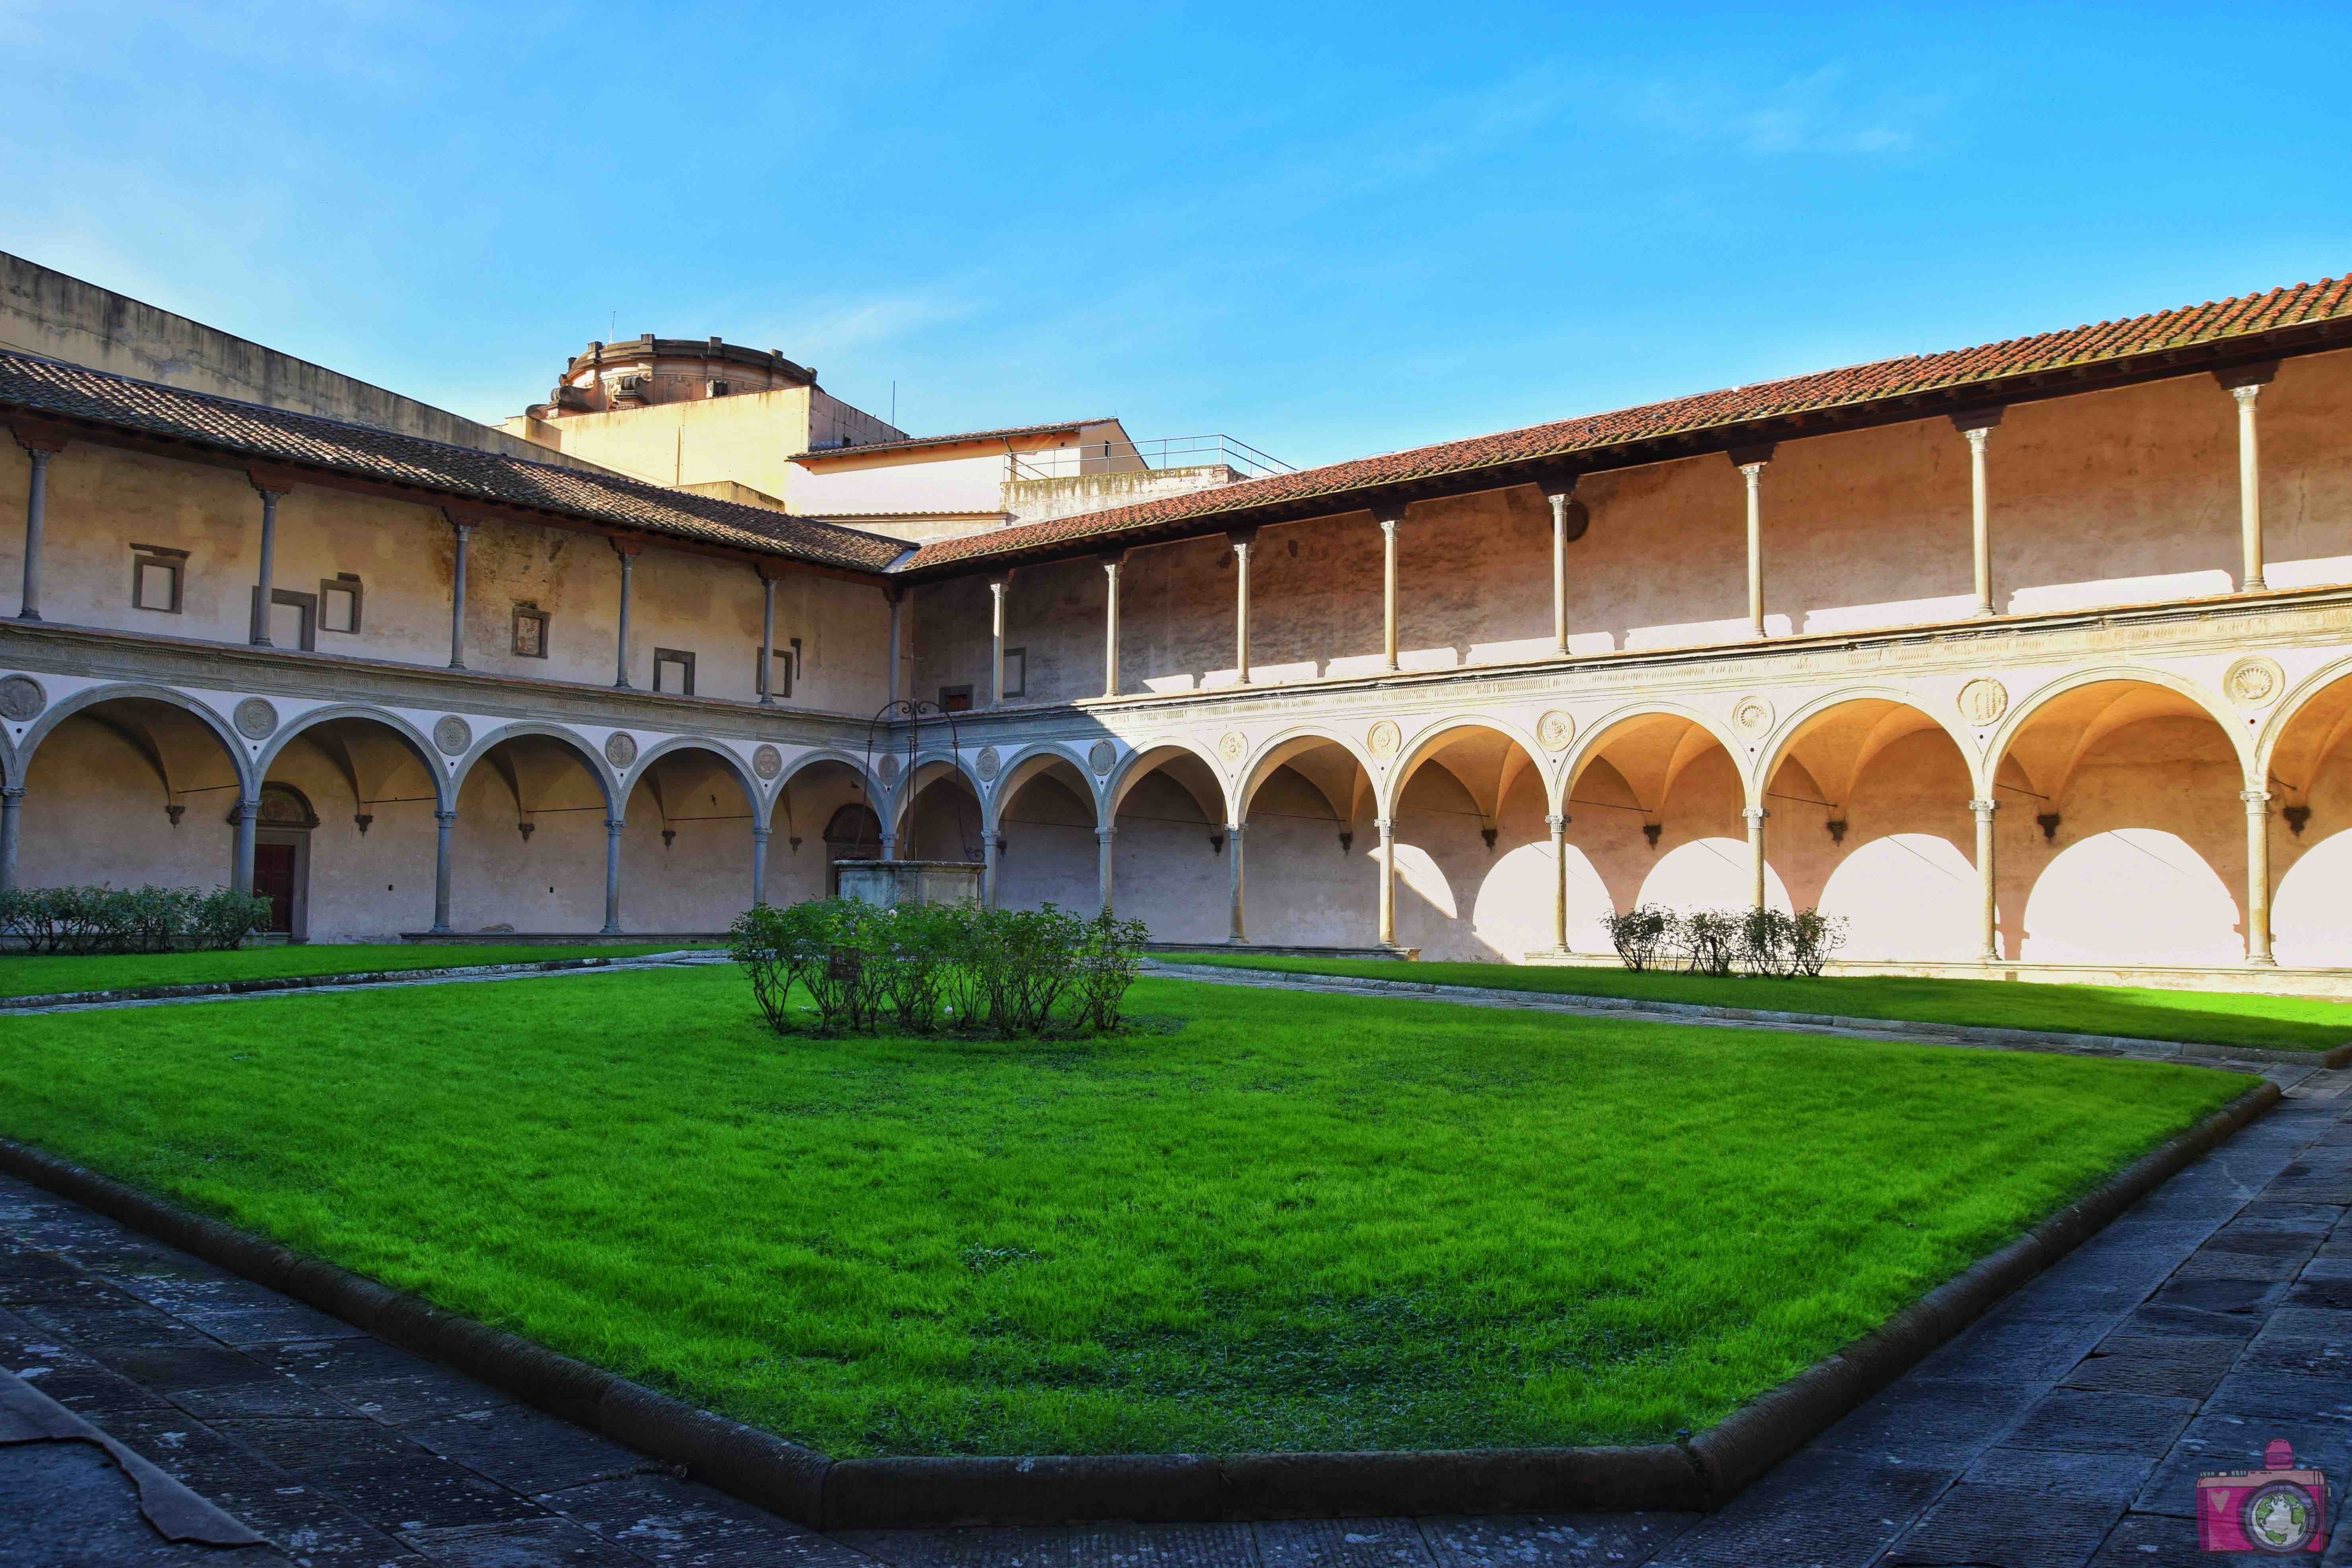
1323, 229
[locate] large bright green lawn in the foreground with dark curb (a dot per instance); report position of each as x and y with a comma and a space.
1269, 1221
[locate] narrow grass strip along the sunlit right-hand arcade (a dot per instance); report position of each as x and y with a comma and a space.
2217, 1019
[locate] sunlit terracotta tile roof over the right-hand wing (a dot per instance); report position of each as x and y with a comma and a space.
1723, 410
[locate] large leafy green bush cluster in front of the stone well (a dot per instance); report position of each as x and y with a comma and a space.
930, 967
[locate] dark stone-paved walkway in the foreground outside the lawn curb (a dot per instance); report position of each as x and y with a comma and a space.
2062, 1430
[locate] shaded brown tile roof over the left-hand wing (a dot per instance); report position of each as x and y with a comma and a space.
69, 391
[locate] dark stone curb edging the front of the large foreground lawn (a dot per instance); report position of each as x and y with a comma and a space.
827, 1494
